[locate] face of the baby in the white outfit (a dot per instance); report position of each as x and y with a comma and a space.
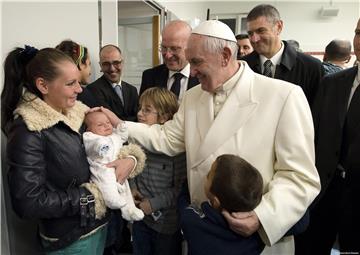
98, 123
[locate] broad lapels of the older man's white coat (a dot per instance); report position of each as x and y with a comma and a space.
235, 112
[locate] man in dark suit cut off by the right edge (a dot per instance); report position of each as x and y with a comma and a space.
336, 211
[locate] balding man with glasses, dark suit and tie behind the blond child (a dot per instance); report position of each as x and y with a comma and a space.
174, 40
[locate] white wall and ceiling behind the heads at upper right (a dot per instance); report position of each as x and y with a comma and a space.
301, 18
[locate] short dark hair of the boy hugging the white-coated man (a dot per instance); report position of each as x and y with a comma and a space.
236, 183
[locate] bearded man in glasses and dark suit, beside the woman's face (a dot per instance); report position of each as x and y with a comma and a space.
109, 90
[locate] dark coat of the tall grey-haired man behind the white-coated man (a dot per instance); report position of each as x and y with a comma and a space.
295, 67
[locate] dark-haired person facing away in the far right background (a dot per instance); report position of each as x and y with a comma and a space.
337, 55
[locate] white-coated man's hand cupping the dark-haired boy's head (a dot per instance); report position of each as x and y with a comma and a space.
243, 223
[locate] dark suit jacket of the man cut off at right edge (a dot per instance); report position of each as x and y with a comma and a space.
329, 116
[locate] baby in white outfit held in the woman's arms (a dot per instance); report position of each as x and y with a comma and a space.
103, 143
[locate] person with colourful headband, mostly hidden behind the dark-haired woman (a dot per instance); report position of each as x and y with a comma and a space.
81, 57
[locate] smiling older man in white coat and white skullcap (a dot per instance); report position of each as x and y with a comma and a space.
236, 111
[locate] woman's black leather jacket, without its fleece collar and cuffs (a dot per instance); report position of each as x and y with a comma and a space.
46, 169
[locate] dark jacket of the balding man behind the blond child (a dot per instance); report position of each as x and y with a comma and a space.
158, 77
